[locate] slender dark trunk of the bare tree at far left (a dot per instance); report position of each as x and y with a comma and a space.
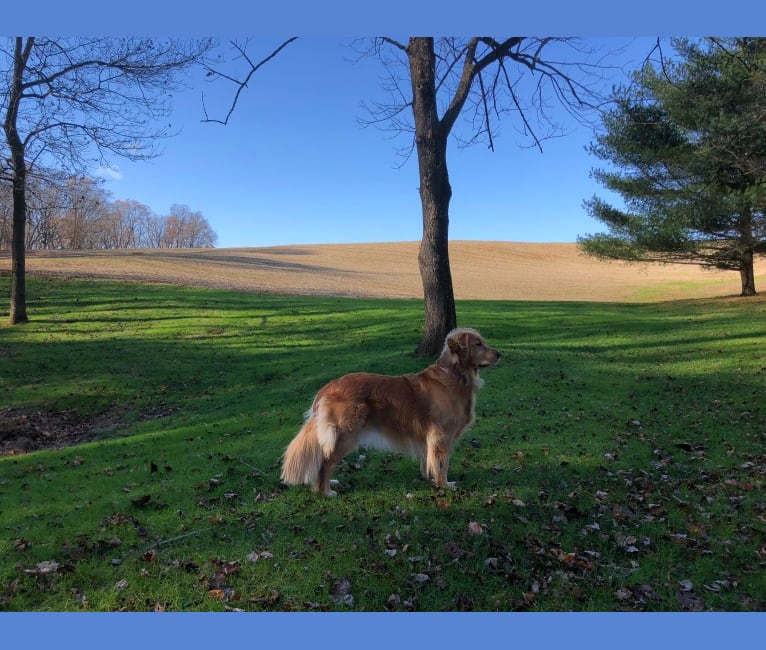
18, 310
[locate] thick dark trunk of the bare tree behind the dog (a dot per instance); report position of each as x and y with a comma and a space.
435, 194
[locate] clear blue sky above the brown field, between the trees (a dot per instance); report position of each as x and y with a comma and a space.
294, 165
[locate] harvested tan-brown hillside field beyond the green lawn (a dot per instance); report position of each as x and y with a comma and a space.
480, 270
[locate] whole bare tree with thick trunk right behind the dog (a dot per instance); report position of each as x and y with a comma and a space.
485, 79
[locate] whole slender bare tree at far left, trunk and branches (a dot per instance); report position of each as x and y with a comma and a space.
69, 102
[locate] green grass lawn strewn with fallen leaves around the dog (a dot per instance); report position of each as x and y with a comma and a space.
617, 461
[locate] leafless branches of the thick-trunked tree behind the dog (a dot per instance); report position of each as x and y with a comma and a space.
486, 78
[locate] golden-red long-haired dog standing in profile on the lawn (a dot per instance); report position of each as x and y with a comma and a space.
421, 414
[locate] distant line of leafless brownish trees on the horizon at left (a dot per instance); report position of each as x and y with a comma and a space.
76, 213
